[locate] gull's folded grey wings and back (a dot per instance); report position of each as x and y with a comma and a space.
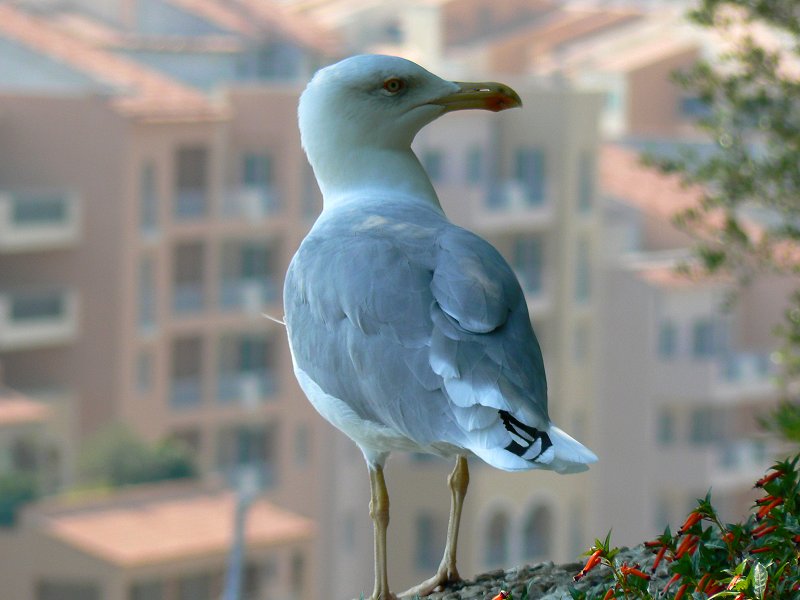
423, 329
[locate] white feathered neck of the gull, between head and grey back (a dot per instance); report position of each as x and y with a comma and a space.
347, 174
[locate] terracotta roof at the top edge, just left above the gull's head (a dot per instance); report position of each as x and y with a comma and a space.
254, 17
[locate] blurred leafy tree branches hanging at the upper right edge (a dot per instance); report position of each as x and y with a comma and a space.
752, 93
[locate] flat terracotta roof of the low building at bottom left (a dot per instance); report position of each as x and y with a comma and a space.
155, 529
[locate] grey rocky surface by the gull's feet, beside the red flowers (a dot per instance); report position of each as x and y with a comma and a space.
546, 581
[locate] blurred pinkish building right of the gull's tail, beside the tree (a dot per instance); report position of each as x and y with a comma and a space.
690, 376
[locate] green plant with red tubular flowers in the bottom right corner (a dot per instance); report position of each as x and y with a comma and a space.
706, 559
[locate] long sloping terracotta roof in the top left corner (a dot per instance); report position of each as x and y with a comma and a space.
143, 93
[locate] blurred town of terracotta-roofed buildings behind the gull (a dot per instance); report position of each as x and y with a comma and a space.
152, 194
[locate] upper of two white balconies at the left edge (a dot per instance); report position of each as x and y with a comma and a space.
38, 220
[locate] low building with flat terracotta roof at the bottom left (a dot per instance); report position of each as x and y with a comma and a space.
164, 543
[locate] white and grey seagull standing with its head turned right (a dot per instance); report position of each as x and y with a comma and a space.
407, 332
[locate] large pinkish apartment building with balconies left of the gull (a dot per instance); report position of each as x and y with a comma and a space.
144, 229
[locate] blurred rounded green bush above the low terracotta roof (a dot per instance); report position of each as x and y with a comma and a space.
115, 456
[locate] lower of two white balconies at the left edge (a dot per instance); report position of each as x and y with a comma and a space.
37, 318
